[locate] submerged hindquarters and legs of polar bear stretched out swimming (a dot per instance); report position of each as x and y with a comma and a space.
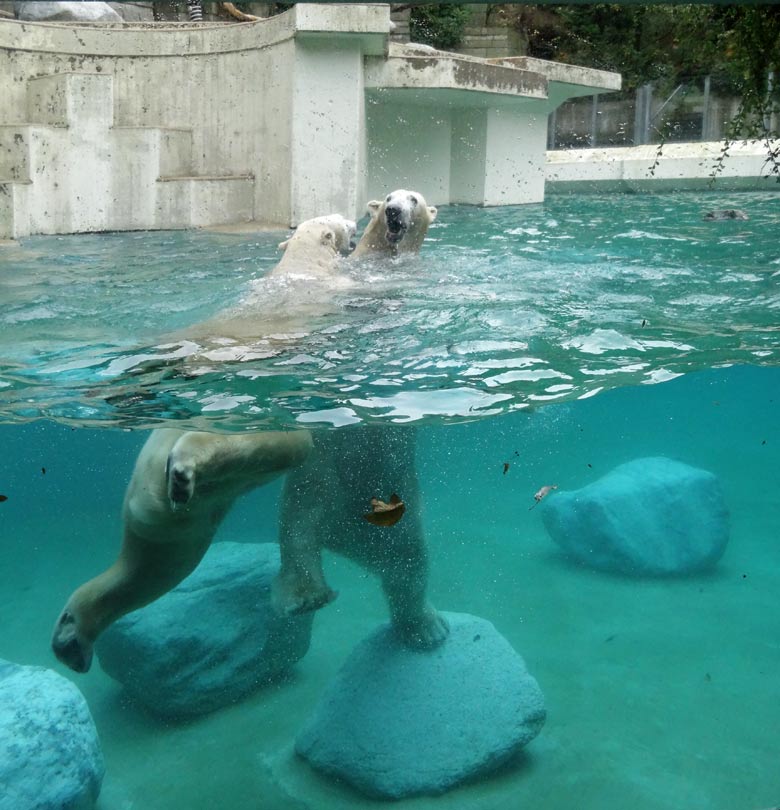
183, 485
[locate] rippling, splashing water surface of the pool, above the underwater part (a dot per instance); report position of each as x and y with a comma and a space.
504, 308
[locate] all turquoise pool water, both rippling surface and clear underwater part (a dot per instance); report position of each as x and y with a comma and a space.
661, 693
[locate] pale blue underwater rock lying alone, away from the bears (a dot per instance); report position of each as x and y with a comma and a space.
648, 517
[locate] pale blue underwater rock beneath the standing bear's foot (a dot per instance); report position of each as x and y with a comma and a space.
397, 723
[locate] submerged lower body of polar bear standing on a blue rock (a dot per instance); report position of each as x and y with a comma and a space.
323, 505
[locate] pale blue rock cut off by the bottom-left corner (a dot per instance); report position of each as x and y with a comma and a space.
50, 756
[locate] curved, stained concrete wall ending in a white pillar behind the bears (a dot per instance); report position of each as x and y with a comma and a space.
278, 102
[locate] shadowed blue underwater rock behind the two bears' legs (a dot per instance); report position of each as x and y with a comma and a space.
211, 640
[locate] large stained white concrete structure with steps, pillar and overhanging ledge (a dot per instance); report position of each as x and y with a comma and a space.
140, 126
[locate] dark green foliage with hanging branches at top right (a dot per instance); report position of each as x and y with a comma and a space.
737, 46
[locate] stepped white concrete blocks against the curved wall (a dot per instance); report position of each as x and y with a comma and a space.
89, 175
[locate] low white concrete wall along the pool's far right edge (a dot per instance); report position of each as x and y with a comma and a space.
673, 167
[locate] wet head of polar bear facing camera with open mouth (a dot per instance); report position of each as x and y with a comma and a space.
398, 224
